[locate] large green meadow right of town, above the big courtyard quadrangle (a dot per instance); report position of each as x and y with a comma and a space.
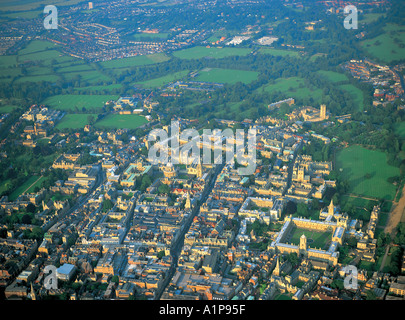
355, 162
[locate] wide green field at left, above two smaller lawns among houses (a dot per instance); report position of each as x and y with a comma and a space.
69, 102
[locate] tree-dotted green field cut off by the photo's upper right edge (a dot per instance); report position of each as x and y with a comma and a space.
389, 46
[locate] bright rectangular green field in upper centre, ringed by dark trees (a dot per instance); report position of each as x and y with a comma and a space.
219, 75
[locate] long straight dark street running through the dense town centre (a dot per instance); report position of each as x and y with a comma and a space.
176, 248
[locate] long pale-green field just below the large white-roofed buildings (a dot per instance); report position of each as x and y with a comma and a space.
199, 52
